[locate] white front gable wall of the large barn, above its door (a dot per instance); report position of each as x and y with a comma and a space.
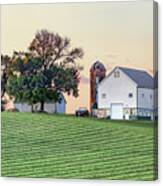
117, 90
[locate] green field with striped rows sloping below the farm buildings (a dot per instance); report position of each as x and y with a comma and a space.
58, 146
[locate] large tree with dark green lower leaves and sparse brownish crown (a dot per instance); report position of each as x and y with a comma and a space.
46, 71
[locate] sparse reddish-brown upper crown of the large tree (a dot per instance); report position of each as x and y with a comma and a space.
54, 49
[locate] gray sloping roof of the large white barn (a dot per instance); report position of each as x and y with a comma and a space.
140, 77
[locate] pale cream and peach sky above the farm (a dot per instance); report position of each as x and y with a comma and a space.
115, 33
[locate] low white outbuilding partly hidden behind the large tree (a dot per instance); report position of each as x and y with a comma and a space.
49, 107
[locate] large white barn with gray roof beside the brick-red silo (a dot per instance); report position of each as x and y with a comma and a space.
126, 94
